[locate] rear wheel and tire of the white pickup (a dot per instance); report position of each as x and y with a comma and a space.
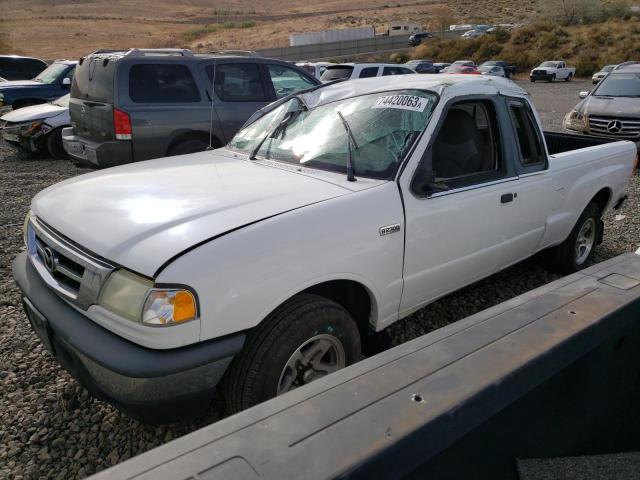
577, 251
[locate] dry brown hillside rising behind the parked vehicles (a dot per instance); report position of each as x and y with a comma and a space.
71, 28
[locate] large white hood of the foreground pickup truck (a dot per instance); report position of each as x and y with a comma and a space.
143, 214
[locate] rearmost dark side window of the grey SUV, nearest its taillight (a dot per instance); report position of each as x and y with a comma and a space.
162, 83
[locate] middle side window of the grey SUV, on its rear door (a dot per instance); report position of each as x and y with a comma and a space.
238, 82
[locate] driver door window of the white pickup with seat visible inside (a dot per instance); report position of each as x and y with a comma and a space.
467, 149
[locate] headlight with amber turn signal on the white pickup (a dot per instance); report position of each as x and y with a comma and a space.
135, 298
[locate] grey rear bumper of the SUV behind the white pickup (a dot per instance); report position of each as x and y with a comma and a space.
104, 154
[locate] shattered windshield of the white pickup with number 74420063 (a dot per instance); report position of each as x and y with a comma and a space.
382, 125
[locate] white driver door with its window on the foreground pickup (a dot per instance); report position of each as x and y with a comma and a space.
471, 225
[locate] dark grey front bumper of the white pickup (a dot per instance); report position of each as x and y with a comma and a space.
155, 386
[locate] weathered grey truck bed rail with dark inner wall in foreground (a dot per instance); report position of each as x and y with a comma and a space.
553, 372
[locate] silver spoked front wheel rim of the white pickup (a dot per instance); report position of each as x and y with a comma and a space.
317, 357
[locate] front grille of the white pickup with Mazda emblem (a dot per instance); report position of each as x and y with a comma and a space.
67, 269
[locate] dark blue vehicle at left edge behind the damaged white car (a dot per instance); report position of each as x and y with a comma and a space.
51, 83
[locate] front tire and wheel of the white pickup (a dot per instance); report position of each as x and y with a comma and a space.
304, 339
